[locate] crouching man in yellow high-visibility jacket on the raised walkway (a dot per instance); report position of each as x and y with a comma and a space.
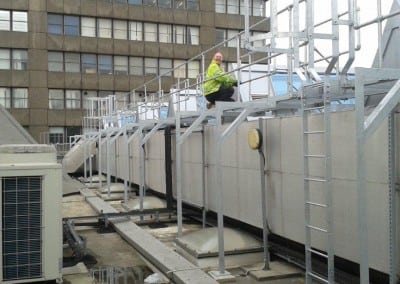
218, 85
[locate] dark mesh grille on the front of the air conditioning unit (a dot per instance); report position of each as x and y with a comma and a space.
21, 230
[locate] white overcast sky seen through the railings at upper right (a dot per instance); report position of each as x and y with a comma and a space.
368, 35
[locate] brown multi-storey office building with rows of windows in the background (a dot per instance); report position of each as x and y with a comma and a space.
54, 54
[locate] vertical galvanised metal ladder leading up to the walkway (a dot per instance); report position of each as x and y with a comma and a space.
317, 186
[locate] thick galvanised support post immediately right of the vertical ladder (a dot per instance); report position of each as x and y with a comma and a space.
361, 191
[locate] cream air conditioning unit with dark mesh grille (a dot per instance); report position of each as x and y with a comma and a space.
31, 225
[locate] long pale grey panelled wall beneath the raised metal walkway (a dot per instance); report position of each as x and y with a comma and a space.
284, 181
